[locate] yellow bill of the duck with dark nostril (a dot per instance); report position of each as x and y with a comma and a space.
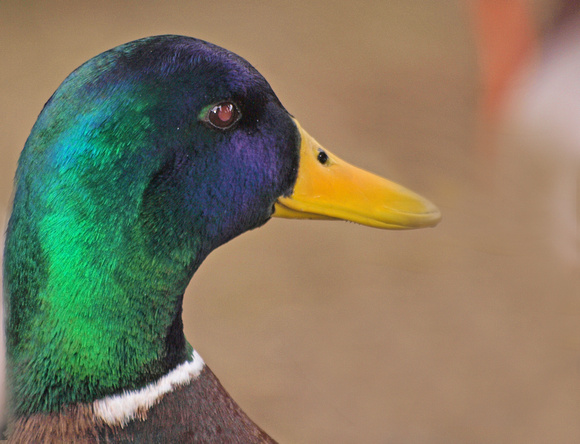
330, 188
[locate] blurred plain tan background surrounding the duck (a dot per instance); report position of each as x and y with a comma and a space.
335, 333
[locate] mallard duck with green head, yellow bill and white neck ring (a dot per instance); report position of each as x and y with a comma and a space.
144, 160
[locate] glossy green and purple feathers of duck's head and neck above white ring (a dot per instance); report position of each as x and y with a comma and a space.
121, 191
